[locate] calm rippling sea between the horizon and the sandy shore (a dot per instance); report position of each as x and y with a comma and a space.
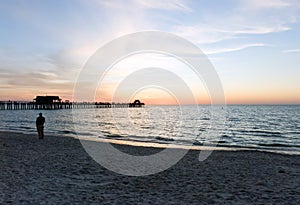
272, 128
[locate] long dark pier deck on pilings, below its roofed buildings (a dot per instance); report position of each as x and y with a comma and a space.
16, 105
